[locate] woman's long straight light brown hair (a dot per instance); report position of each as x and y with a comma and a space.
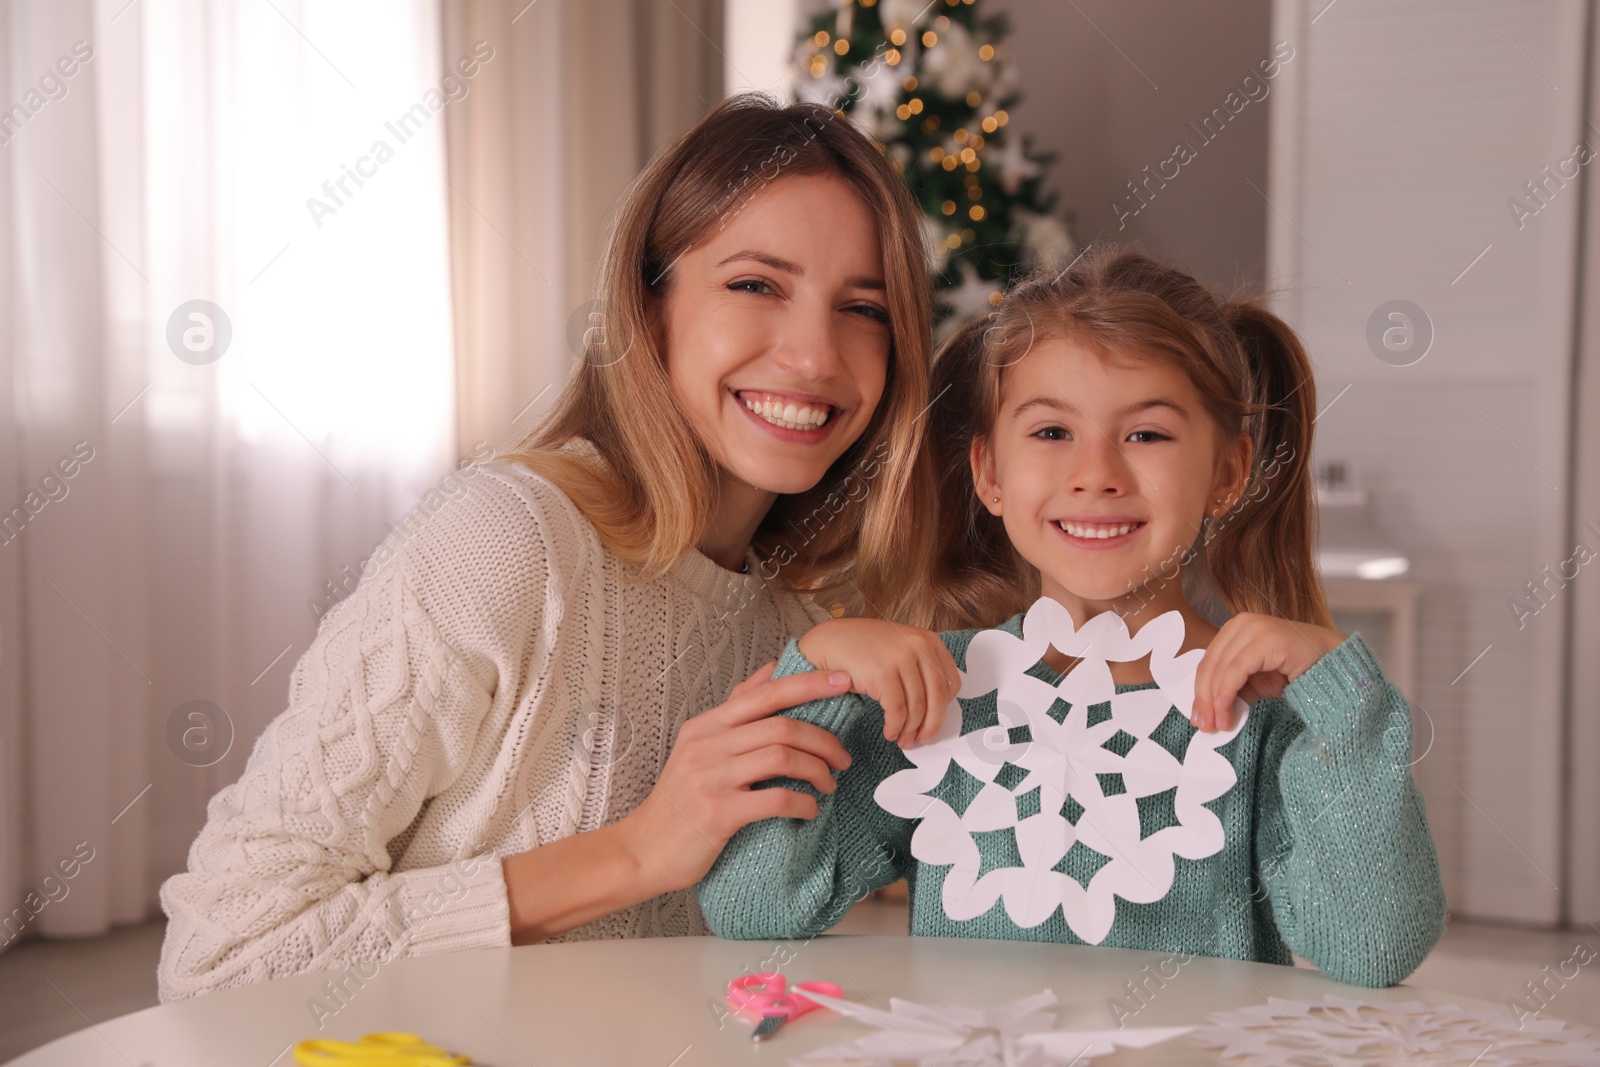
868, 522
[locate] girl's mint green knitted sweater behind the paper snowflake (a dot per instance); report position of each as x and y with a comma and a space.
1329, 852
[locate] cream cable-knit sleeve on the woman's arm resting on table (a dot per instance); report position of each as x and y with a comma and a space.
294, 869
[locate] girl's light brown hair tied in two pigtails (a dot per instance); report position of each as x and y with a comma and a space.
1254, 378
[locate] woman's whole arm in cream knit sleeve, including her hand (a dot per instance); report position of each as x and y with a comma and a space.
294, 869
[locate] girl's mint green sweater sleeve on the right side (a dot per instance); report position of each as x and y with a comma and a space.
1343, 844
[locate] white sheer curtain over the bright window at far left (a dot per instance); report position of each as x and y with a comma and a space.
286, 162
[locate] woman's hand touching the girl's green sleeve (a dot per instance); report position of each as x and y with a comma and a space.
705, 794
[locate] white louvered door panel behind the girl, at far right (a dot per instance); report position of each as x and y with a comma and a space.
1401, 138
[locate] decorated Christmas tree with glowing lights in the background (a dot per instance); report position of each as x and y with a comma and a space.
932, 84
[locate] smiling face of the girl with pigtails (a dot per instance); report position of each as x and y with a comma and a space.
1105, 468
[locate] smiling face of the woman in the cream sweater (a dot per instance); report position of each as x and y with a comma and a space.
777, 335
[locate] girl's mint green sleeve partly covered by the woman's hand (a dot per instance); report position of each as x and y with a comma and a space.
798, 877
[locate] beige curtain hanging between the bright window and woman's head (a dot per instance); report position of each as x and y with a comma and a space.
580, 97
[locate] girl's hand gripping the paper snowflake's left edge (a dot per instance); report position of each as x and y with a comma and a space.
908, 671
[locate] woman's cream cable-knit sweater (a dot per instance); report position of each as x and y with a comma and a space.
497, 685
